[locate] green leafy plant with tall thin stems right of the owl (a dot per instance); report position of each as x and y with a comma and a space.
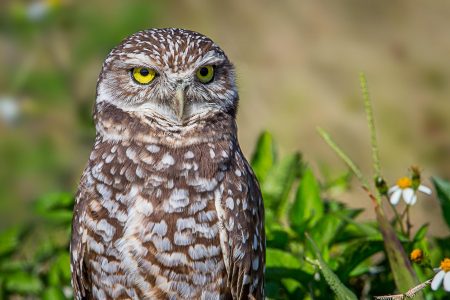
309, 233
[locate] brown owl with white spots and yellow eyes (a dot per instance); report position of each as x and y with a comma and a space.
167, 207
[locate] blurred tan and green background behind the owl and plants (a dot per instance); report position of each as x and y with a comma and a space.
297, 63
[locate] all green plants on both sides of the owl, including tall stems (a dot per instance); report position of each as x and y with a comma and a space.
316, 245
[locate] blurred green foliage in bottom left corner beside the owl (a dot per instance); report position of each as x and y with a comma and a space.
34, 257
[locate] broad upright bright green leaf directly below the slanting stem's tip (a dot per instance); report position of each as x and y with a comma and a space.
308, 206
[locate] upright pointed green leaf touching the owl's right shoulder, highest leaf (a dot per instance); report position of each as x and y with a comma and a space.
264, 156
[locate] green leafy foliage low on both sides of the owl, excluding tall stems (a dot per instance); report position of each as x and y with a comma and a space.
339, 255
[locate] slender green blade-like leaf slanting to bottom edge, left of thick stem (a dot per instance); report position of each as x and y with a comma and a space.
341, 291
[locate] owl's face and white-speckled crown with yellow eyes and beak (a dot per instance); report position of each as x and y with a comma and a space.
173, 74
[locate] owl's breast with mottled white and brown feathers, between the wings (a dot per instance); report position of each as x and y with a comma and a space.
152, 225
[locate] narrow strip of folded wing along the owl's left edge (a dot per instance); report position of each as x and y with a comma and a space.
80, 278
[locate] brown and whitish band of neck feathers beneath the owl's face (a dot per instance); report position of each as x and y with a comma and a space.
115, 124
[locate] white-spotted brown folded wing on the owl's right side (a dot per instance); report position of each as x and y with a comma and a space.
241, 224
